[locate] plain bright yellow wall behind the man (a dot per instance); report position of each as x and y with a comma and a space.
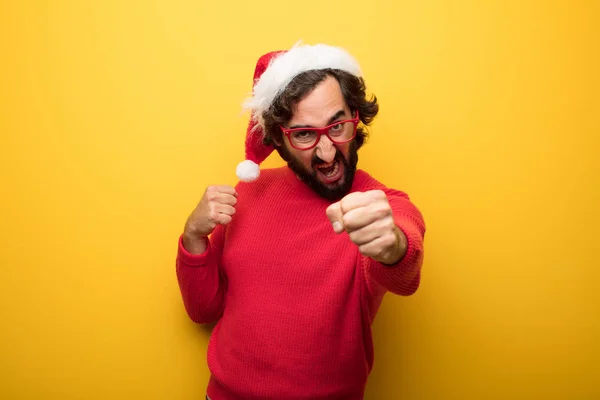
115, 115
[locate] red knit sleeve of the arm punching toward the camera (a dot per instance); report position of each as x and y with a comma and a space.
402, 278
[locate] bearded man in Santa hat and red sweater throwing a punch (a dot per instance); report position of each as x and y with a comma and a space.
297, 262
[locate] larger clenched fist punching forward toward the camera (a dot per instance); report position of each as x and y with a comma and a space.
368, 219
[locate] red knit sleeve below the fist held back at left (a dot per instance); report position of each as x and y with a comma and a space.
201, 280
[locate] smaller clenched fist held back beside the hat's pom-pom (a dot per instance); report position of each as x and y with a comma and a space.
215, 208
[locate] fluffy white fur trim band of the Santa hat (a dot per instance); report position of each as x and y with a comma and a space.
285, 67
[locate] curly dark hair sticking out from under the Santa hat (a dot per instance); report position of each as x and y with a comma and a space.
353, 90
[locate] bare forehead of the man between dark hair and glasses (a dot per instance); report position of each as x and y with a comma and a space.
325, 100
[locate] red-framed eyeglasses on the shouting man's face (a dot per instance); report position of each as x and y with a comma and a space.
306, 138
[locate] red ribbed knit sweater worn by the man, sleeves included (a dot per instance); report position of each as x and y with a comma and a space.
294, 301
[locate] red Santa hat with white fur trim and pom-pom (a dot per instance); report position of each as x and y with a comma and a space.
273, 73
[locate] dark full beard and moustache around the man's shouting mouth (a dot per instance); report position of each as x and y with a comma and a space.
335, 191
